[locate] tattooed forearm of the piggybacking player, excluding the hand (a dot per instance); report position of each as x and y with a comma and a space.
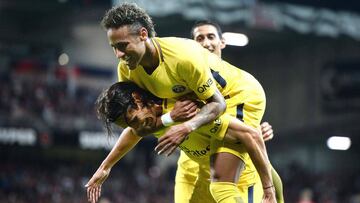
209, 112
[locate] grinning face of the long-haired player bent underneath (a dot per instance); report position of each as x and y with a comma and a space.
142, 118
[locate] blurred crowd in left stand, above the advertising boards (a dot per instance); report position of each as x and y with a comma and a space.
35, 95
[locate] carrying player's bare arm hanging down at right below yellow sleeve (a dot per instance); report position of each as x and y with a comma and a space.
254, 144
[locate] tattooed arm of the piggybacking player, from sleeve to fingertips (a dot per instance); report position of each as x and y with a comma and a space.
176, 134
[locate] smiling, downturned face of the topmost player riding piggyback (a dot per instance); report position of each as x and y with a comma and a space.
128, 45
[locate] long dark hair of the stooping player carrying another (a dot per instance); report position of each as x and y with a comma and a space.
114, 102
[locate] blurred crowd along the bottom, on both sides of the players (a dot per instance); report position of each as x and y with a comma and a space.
58, 182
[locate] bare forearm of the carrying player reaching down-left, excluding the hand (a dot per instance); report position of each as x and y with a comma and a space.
124, 144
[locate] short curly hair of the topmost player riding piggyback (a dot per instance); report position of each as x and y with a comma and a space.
128, 14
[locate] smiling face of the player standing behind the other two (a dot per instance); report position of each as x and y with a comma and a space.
209, 38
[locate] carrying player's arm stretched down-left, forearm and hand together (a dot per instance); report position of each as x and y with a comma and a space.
127, 140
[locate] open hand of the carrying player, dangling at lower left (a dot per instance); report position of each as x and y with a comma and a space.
93, 187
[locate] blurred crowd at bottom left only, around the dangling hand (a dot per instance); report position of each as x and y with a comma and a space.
56, 183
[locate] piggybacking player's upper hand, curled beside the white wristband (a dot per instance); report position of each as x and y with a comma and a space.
183, 110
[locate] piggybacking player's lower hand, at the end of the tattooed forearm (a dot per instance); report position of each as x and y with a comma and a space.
172, 138
